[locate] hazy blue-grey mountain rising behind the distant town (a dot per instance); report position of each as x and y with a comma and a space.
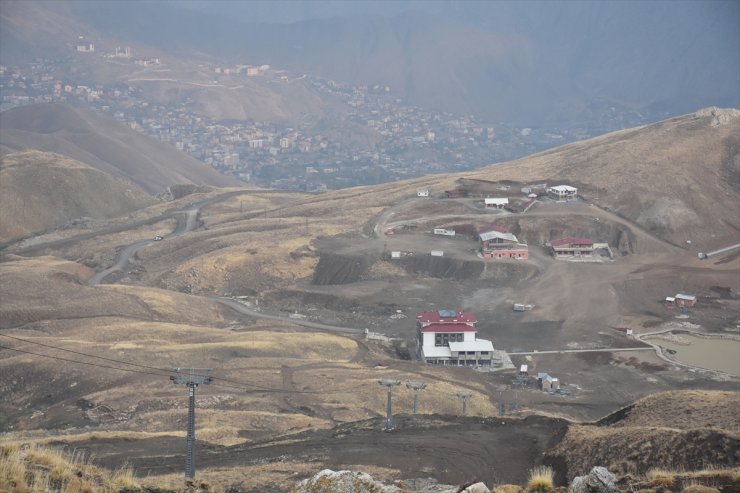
529, 62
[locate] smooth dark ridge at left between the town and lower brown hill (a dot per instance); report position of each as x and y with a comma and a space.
104, 144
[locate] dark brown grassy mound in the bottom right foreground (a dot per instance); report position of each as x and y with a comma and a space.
685, 430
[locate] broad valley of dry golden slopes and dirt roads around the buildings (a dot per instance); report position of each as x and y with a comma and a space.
274, 290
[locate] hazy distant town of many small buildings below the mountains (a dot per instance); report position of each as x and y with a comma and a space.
401, 140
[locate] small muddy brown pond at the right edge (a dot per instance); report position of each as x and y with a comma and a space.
713, 353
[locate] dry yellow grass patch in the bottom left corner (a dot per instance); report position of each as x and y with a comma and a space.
33, 468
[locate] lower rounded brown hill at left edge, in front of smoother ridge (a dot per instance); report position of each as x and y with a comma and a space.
40, 190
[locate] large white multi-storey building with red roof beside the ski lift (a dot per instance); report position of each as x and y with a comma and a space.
448, 337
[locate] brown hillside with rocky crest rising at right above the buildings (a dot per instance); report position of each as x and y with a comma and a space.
678, 178
